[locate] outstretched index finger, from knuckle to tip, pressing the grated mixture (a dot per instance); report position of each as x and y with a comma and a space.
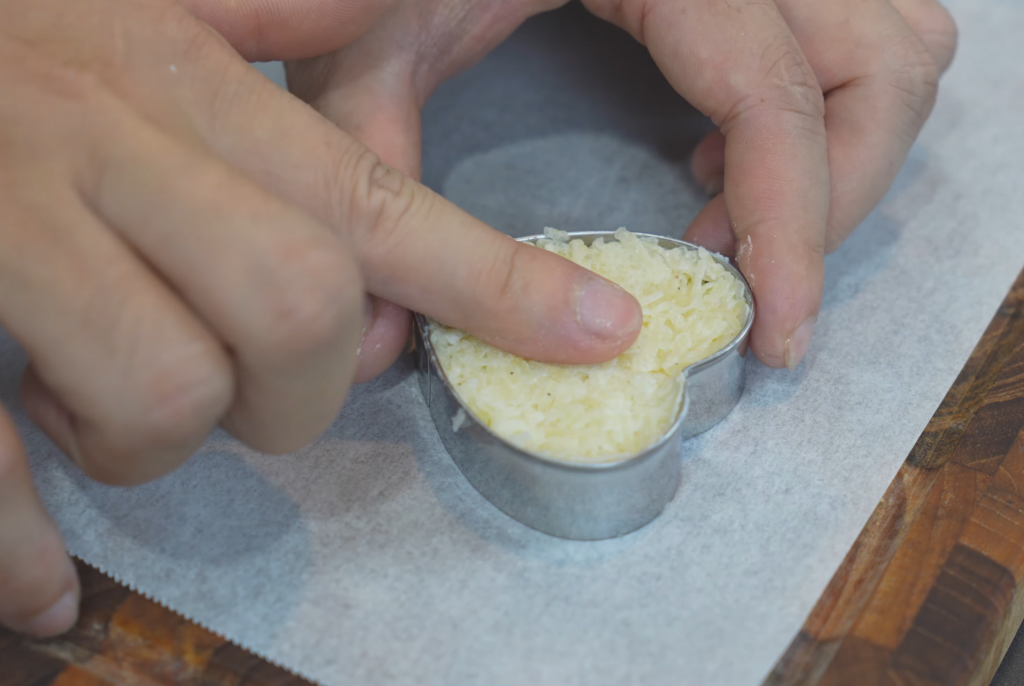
422, 252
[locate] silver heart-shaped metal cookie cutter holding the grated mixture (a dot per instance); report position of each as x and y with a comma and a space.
585, 502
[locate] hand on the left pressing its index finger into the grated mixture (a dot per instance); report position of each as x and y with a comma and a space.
185, 245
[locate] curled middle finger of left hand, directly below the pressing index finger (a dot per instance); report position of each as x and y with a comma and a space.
276, 286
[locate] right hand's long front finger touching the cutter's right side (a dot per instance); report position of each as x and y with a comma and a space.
741, 65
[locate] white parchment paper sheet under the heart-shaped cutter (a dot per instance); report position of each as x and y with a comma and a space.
368, 559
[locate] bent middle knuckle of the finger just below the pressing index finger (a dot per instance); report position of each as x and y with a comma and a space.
314, 298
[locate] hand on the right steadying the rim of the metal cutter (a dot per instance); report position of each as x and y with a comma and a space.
818, 103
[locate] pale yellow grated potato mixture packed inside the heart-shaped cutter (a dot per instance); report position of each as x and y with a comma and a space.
693, 308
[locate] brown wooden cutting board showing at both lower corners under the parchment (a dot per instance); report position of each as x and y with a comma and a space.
927, 596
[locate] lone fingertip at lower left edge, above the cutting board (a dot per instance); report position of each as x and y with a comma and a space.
39, 589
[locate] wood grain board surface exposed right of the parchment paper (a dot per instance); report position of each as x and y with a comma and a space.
928, 595
